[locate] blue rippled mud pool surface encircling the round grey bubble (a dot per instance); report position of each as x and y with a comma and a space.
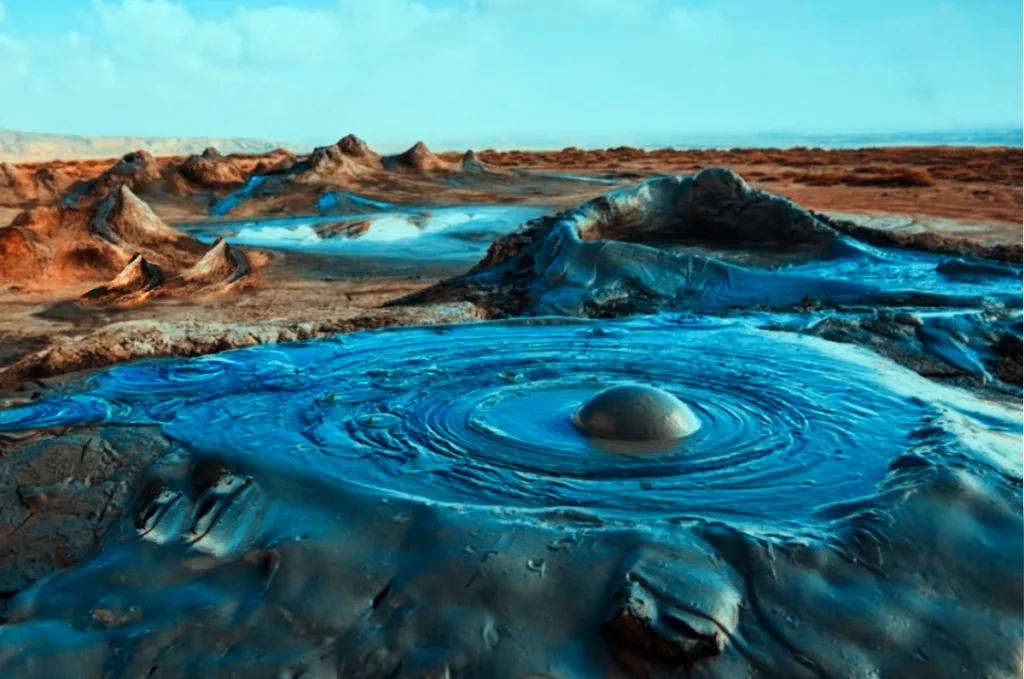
483, 414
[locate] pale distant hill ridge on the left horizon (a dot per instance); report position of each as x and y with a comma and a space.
19, 147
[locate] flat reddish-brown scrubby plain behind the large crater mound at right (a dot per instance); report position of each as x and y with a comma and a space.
967, 184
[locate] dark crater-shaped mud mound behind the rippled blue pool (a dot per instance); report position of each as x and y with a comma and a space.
626, 252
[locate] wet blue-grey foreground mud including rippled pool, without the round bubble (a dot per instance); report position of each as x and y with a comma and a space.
379, 506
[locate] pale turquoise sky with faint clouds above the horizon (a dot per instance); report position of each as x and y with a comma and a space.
486, 71
